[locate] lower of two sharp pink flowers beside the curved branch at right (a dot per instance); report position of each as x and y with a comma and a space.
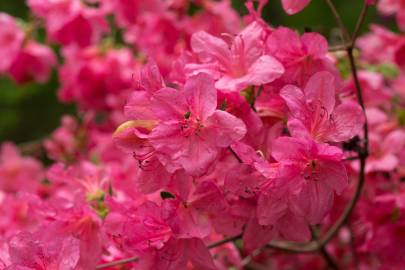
318, 170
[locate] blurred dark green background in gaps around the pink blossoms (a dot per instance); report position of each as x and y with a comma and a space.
31, 111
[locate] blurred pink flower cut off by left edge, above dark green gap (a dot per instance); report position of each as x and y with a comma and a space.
11, 39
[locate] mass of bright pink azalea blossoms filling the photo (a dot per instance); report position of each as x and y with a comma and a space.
198, 126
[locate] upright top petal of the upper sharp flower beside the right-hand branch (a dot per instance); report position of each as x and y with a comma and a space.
320, 91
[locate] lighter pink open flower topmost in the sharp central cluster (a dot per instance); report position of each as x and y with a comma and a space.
235, 66
